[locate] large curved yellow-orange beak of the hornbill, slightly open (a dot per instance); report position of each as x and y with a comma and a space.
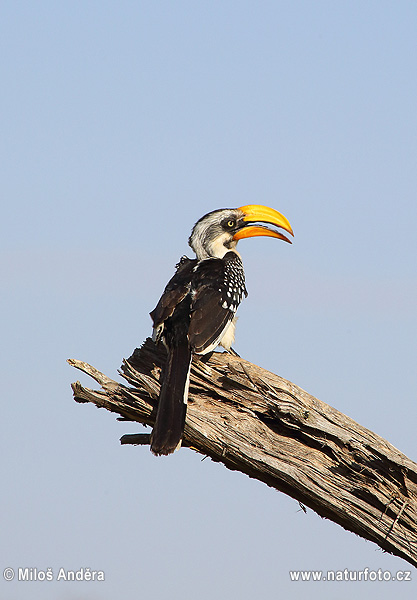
256, 213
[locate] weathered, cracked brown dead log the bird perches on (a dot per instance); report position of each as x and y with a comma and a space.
258, 423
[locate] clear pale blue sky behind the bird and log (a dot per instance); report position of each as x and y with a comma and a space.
121, 124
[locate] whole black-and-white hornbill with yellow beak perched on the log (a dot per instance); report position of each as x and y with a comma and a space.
197, 310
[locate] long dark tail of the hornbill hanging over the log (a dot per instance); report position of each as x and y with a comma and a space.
170, 419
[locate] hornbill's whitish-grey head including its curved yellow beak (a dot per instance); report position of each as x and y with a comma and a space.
220, 230
